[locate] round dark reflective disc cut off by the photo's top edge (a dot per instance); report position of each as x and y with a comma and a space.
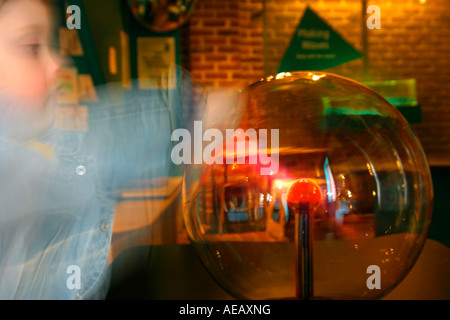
162, 15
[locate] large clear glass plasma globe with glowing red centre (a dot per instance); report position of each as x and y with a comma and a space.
334, 134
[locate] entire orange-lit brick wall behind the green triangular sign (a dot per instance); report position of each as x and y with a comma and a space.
227, 47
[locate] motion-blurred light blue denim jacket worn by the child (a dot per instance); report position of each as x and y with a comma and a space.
57, 205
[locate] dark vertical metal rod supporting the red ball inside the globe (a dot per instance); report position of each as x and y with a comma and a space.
304, 253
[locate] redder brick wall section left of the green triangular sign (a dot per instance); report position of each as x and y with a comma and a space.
226, 42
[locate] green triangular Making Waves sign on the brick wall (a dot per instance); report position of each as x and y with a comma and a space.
316, 46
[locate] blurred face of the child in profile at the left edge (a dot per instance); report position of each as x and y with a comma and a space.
28, 69
